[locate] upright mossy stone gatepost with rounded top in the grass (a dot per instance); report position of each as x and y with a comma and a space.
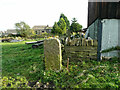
52, 53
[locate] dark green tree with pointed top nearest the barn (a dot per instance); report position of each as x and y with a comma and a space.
75, 27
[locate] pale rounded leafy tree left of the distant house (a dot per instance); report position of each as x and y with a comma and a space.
23, 29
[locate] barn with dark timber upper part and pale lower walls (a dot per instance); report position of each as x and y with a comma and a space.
104, 25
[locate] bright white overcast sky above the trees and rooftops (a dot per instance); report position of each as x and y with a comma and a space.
41, 12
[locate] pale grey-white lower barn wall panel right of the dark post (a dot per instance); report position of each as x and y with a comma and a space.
110, 36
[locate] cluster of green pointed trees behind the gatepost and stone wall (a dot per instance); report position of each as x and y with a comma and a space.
63, 26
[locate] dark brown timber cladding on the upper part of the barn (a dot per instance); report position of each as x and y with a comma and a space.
103, 10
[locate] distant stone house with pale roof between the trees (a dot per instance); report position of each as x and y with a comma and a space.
42, 29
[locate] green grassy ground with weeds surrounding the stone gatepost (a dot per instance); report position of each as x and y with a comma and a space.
23, 66
